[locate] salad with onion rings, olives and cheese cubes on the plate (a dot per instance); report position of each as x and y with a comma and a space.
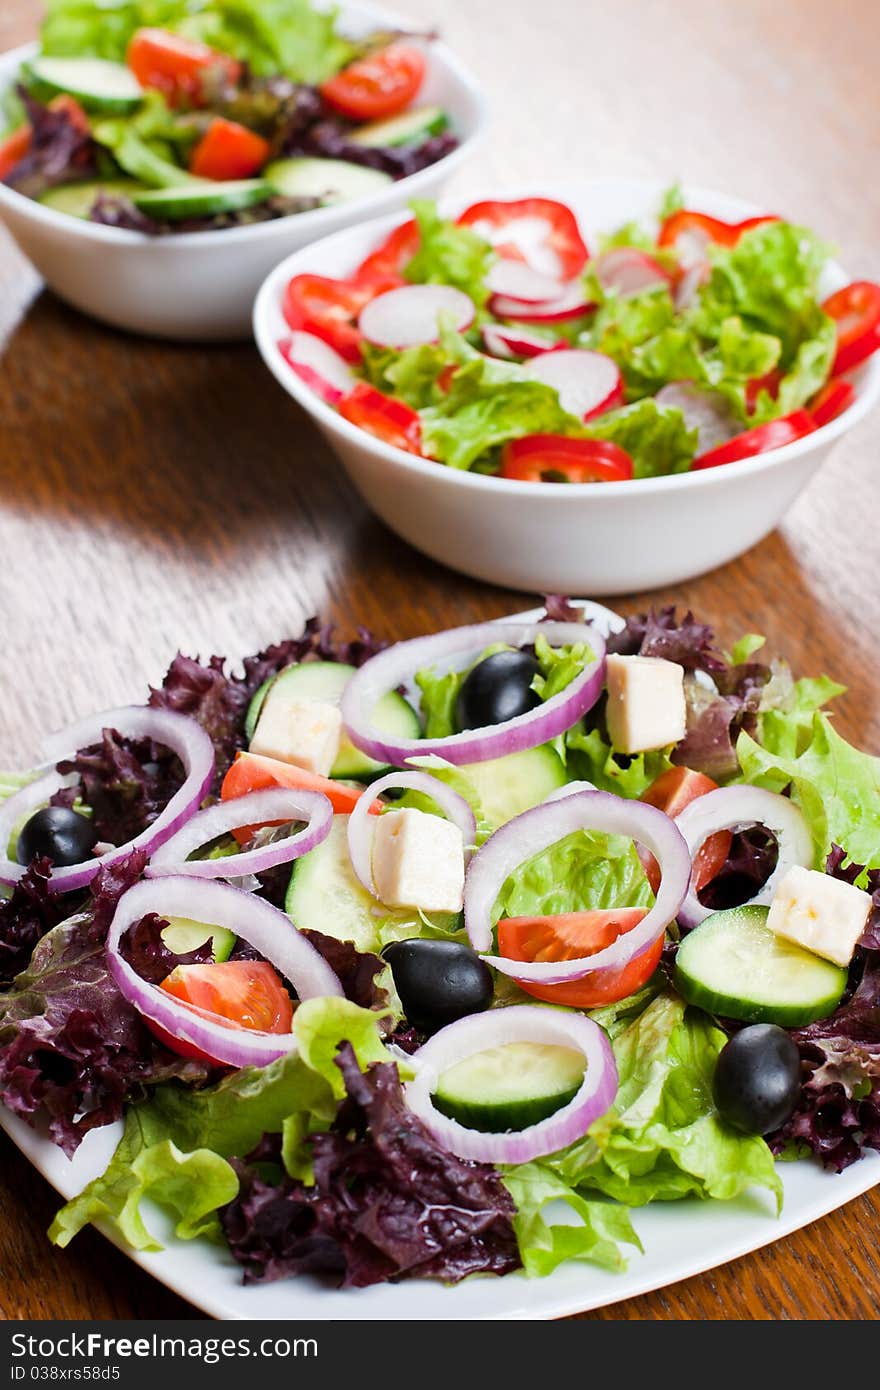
380, 951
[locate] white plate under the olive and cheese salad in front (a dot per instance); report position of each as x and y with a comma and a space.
681, 1239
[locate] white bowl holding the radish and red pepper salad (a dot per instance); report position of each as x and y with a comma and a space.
580, 539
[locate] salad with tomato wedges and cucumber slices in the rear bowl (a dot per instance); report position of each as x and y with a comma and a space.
204, 115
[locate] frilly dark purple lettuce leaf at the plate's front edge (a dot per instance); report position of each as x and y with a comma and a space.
387, 1203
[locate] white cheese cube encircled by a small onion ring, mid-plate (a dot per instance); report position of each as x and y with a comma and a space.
419, 861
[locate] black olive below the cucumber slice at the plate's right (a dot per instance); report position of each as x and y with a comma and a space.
758, 1079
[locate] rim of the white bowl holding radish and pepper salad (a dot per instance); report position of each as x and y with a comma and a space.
269, 298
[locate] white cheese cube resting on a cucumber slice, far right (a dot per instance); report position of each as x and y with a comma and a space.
821, 914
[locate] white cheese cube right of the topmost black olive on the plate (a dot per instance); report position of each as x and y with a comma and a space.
646, 703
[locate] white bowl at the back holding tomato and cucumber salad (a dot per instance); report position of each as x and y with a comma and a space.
199, 286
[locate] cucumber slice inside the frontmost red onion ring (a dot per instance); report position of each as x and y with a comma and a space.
511, 1088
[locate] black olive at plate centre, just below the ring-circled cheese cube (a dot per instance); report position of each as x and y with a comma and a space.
439, 982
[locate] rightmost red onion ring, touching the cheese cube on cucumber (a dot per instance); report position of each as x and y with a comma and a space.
739, 808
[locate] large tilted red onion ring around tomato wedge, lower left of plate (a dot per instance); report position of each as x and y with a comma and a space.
252, 919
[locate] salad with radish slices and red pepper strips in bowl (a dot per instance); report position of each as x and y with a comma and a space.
500, 344
